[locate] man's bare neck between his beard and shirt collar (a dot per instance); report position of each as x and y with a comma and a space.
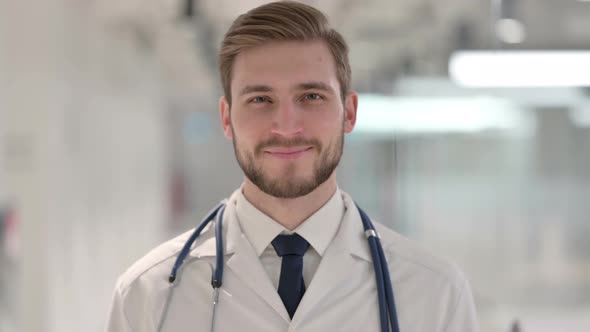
290, 212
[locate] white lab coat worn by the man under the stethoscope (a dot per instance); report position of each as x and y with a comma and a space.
431, 295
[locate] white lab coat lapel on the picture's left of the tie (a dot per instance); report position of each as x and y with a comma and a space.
247, 267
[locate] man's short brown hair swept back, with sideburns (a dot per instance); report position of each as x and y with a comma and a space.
281, 21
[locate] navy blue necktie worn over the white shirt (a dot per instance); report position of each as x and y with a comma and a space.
291, 287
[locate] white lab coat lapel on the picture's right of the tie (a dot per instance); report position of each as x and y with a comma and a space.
336, 266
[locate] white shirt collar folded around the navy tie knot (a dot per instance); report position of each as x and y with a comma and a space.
319, 229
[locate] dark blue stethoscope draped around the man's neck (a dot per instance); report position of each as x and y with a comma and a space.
387, 311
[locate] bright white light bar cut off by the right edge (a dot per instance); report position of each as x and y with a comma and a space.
520, 68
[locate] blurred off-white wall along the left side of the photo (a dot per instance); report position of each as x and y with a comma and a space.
83, 123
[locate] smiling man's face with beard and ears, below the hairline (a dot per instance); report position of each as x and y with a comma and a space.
287, 119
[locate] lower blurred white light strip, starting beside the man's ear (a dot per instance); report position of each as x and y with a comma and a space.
405, 115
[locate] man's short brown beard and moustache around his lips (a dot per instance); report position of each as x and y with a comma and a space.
289, 184
